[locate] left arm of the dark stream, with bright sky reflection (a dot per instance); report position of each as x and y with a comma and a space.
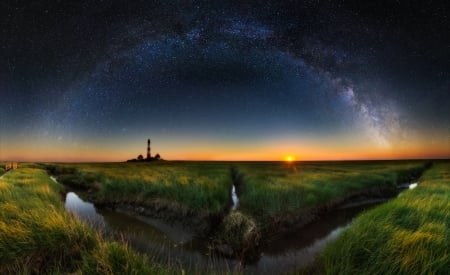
165, 242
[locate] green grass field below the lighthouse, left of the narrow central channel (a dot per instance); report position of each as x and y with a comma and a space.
198, 186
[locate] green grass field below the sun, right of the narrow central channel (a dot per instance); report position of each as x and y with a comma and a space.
274, 190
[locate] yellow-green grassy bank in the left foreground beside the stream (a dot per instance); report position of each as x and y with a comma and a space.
38, 236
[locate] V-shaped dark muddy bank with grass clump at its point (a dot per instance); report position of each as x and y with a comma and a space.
245, 248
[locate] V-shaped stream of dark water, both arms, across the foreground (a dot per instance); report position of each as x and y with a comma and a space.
171, 243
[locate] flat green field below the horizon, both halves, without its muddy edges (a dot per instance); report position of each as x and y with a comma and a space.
265, 189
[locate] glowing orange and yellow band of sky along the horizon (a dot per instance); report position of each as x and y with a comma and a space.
196, 149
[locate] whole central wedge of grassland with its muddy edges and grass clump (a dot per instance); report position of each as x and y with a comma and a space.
276, 196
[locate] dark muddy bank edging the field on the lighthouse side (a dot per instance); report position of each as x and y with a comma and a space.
90, 188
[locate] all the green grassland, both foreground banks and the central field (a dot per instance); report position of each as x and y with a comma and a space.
405, 236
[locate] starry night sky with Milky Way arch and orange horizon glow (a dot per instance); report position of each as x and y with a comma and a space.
224, 80
